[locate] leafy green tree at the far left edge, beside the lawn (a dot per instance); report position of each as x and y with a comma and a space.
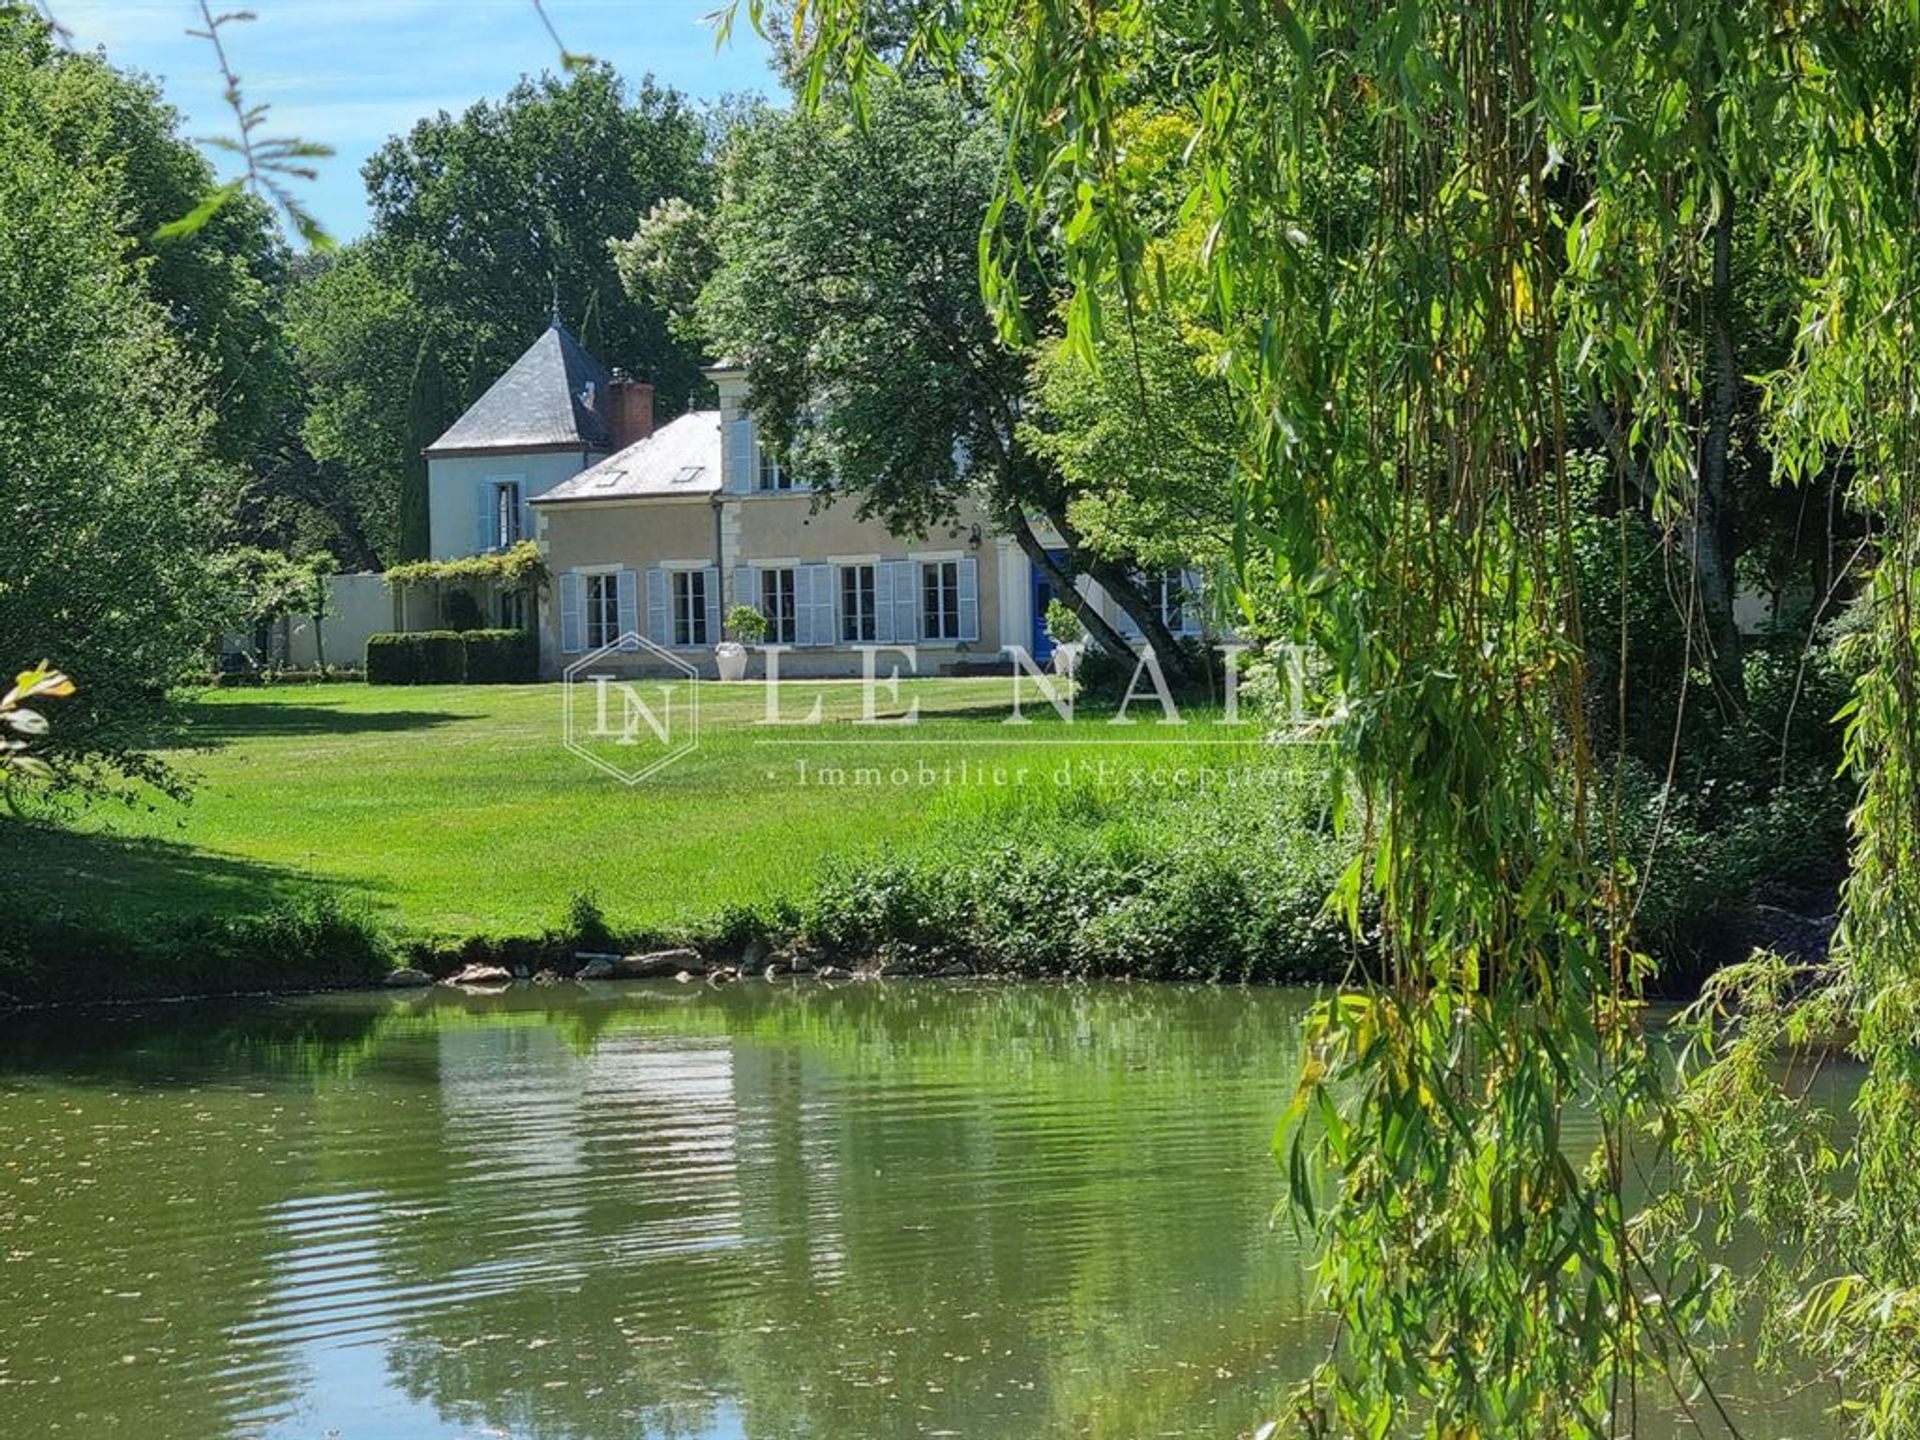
116, 498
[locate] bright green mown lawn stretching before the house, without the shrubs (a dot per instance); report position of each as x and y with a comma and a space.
458, 811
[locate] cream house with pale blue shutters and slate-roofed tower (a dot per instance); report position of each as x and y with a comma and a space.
661, 531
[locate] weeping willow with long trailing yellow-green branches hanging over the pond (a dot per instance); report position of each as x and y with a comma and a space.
1449, 245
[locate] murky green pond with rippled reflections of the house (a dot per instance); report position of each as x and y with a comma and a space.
767, 1211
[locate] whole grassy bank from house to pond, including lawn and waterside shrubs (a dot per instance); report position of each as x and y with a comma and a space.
337, 828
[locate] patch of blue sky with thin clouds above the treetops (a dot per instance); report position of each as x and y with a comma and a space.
354, 72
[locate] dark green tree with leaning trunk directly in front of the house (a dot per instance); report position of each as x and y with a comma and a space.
848, 287
